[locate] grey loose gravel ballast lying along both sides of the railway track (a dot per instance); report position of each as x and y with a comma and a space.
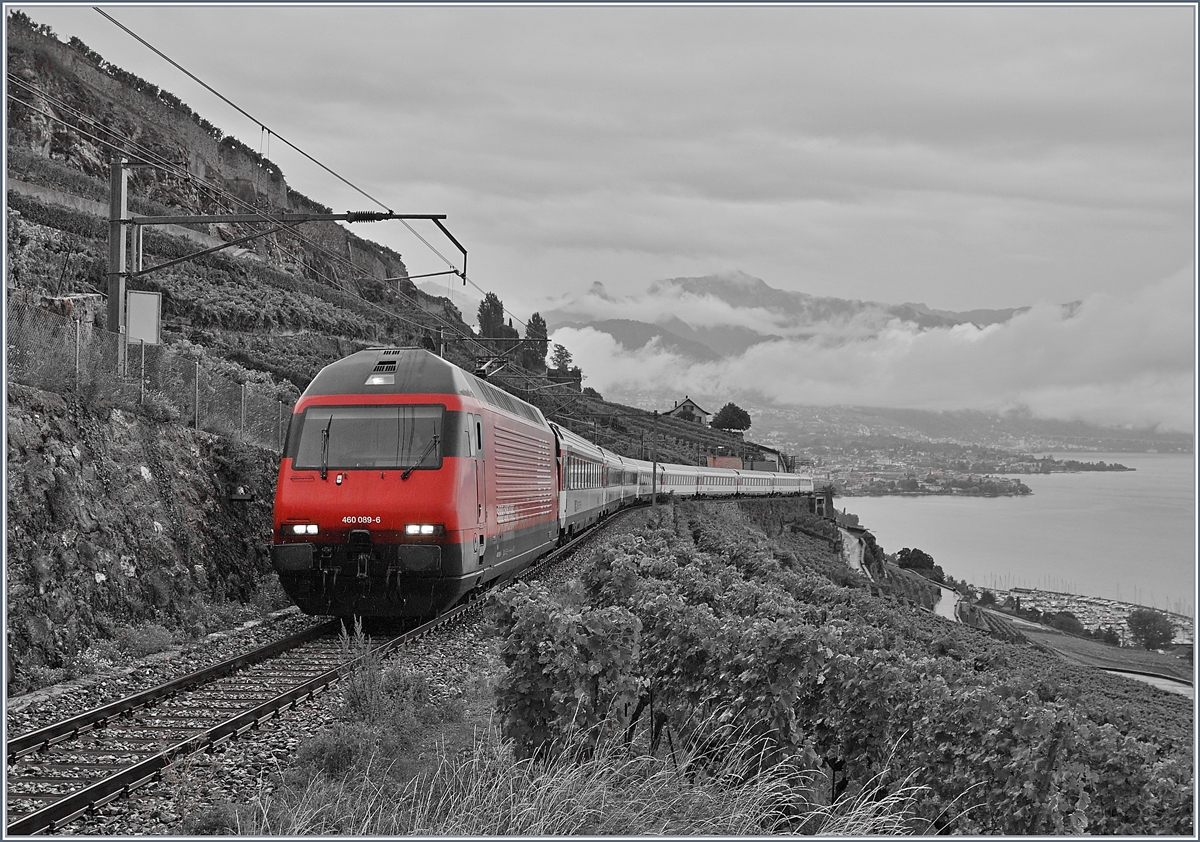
244, 771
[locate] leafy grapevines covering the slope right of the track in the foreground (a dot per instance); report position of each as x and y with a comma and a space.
700, 629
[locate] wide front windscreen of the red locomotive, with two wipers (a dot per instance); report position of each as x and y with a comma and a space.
397, 437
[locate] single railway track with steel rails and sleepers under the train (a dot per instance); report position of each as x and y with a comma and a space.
62, 772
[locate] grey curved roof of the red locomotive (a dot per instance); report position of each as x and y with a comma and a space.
415, 371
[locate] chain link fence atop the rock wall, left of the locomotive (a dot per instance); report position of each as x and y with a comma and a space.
70, 354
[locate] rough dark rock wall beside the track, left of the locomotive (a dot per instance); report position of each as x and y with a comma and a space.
115, 520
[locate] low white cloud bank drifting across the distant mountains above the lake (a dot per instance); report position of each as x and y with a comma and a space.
1119, 360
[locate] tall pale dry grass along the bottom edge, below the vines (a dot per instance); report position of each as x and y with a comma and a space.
615, 791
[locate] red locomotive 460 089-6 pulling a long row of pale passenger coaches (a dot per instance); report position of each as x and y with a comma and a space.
409, 484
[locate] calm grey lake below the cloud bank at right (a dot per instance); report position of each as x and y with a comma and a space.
1127, 536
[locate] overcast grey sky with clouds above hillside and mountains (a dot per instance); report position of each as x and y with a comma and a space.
959, 157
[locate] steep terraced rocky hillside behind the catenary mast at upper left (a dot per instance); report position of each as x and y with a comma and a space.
73, 113
